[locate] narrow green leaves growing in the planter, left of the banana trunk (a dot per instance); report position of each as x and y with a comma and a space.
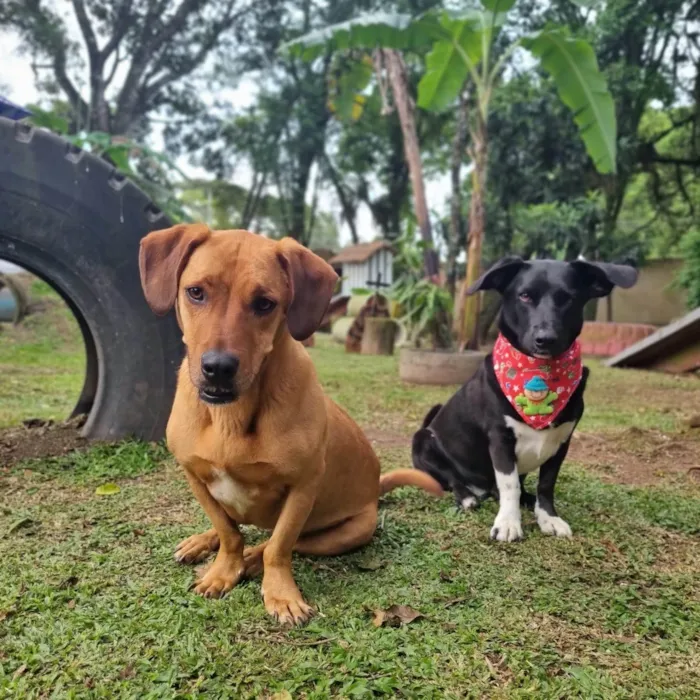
426, 307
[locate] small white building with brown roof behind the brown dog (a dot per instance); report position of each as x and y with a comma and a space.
363, 263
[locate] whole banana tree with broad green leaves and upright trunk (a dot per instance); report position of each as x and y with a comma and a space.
460, 53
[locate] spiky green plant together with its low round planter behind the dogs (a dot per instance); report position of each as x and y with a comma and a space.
428, 355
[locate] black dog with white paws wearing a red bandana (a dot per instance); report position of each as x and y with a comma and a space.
482, 442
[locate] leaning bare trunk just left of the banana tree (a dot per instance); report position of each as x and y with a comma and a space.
404, 106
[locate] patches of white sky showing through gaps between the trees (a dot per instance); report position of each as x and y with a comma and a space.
17, 77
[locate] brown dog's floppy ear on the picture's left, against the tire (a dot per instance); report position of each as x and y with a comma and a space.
162, 258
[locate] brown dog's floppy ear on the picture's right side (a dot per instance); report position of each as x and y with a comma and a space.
311, 284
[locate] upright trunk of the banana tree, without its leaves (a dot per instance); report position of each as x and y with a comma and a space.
469, 331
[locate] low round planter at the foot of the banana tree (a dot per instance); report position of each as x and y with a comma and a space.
438, 367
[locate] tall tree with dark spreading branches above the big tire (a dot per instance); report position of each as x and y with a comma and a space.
139, 53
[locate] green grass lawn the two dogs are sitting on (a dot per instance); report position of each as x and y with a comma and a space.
93, 605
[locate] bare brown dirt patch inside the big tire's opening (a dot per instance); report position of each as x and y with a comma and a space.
38, 439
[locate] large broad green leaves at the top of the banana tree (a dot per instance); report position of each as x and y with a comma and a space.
461, 42
